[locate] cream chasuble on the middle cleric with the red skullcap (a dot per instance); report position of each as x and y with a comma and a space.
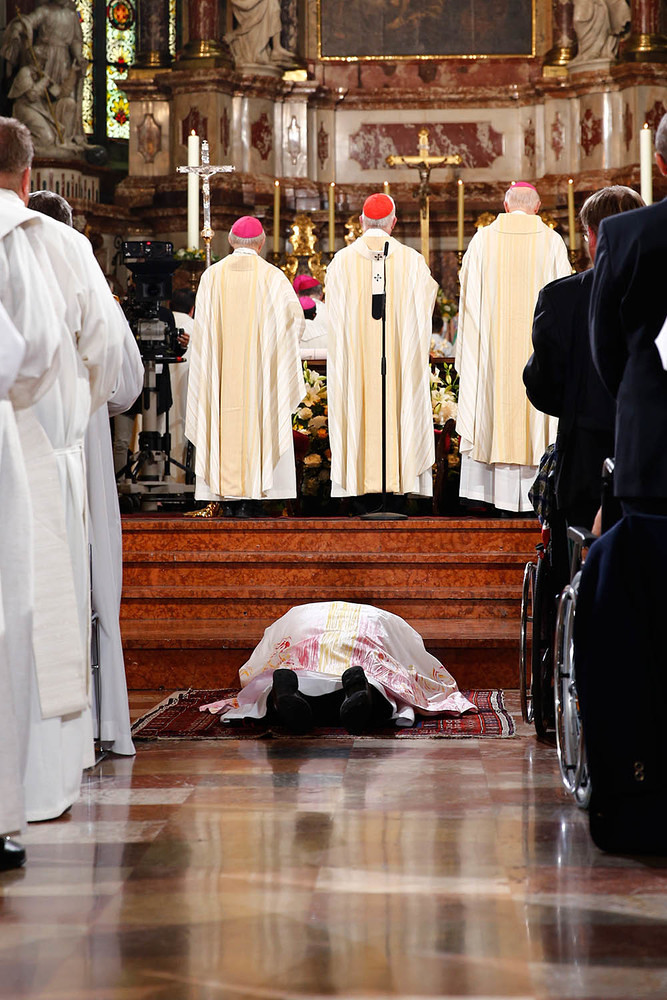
353, 370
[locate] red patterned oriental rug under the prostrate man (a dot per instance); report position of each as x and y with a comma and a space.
178, 718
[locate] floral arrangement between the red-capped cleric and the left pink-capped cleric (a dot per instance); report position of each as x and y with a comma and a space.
311, 421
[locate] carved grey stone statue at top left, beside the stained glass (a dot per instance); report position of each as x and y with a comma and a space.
45, 47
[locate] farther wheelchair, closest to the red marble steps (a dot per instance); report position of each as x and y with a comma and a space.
543, 580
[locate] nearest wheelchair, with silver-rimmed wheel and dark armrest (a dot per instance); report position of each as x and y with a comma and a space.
570, 746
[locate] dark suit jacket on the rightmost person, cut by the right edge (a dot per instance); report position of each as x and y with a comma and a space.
628, 308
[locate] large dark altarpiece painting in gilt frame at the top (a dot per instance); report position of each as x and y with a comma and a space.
405, 29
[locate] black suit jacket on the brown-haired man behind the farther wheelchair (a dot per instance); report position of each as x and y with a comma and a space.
560, 379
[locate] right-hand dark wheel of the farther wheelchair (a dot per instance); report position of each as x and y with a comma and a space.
542, 646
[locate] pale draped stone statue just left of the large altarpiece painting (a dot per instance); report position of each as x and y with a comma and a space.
256, 38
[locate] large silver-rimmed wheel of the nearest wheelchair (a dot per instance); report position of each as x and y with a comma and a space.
569, 732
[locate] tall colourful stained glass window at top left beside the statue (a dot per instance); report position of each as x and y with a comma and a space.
109, 45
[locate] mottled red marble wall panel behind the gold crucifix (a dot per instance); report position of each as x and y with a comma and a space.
477, 143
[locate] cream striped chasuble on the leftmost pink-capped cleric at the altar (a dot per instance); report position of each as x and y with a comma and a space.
245, 378
